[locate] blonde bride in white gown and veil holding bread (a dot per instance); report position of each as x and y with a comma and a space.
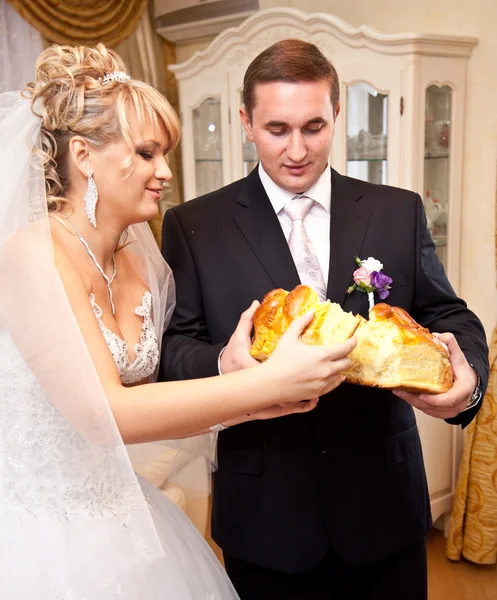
85, 297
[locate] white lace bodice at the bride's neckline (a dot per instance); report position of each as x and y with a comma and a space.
146, 352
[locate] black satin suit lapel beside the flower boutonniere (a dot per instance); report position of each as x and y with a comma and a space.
348, 226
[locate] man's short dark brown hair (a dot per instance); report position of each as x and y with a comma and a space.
291, 61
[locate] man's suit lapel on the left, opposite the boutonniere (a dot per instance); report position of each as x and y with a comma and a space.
260, 226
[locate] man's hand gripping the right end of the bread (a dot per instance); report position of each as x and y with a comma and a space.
451, 403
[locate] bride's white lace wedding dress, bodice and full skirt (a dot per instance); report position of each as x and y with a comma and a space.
34, 437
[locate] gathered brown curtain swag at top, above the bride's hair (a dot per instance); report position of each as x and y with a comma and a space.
82, 22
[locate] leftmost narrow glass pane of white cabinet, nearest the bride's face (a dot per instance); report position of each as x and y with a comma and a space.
208, 146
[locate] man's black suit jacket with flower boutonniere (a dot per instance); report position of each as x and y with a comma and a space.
350, 473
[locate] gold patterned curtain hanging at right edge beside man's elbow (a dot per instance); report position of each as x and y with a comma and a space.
473, 525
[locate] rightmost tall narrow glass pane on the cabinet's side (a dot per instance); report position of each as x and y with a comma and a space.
437, 165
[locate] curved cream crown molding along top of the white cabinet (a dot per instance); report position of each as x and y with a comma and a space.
268, 26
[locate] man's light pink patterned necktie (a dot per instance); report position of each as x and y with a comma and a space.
301, 247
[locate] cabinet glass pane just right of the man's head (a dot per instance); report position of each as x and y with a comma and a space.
367, 134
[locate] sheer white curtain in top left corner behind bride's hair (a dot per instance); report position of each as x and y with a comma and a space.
20, 45
